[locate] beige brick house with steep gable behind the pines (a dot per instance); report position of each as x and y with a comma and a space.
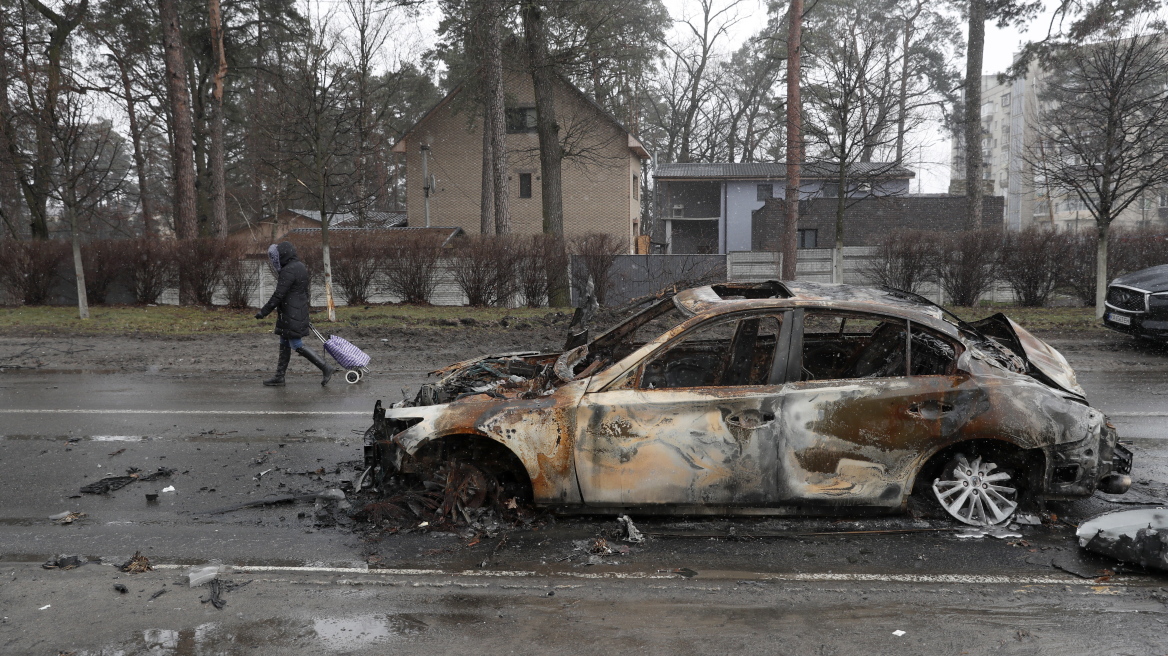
601, 172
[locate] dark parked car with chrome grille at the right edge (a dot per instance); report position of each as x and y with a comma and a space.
1138, 303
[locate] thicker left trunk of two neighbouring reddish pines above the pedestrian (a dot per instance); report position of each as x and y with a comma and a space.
182, 122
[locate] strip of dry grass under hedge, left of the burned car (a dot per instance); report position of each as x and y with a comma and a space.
182, 322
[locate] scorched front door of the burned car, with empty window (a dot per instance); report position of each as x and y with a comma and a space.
693, 423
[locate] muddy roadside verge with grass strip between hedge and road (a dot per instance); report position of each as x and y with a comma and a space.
401, 339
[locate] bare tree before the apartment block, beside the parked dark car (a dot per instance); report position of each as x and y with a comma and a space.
1106, 128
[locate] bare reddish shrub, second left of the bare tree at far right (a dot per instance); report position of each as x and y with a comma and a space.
965, 263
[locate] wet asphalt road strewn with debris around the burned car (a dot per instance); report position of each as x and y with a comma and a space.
787, 587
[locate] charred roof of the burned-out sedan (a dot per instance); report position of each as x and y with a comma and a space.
717, 299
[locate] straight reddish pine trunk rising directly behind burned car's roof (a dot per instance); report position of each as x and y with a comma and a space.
789, 249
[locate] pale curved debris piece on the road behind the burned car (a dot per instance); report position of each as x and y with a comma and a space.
1132, 536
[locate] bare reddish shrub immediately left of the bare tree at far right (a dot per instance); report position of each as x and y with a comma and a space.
1033, 263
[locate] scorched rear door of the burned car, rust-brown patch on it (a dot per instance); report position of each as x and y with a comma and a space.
874, 394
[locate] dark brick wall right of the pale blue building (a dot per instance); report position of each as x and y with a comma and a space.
868, 221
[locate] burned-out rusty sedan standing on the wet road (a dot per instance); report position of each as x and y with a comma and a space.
769, 399
